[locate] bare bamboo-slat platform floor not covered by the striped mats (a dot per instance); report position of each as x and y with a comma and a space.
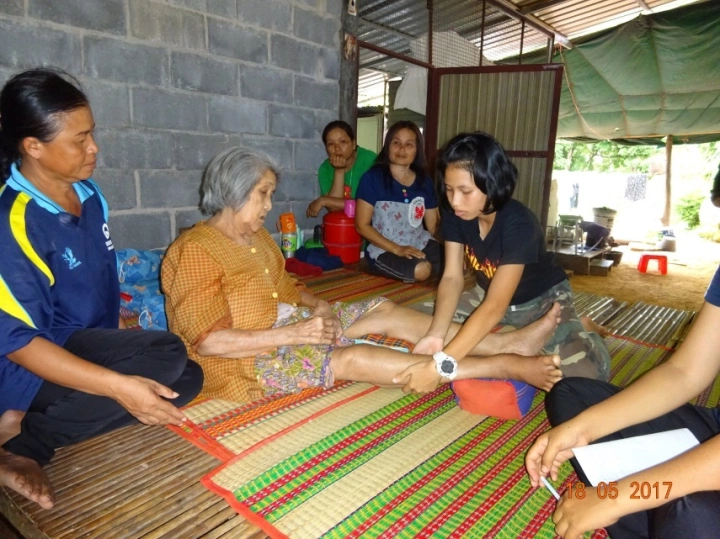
143, 482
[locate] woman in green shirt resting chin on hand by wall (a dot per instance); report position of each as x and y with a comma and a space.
340, 173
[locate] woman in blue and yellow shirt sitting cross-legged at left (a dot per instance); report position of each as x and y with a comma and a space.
68, 371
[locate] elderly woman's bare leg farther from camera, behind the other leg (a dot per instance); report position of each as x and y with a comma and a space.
403, 323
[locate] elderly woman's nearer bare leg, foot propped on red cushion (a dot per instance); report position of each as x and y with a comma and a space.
377, 365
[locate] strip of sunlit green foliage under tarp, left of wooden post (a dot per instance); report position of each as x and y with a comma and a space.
602, 156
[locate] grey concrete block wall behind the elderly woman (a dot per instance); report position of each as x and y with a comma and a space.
173, 82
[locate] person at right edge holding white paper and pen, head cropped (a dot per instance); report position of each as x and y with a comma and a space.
583, 411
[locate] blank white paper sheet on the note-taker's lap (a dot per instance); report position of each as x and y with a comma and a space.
610, 461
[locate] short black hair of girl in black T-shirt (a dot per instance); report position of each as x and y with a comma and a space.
485, 159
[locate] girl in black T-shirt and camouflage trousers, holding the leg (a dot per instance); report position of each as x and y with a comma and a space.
518, 280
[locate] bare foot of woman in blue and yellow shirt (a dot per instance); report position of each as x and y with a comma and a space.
26, 477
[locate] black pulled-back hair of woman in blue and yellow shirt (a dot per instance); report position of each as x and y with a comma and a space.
30, 104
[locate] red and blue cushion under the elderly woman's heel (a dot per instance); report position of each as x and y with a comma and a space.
505, 399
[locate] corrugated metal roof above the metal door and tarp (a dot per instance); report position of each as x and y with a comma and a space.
395, 24
